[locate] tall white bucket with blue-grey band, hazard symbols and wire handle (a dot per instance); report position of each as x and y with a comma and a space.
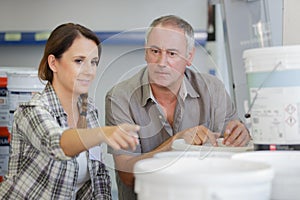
274, 90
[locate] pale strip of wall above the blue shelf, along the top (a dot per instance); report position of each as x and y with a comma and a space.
98, 15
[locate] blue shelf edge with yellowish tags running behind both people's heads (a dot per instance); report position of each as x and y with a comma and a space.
107, 37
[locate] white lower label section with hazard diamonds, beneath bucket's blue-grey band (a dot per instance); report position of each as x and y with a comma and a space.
275, 115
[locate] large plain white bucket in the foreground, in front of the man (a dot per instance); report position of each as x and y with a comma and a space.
208, 179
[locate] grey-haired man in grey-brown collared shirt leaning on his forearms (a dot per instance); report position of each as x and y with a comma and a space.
170, 101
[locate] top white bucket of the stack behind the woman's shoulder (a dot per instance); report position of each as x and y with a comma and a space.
22, 83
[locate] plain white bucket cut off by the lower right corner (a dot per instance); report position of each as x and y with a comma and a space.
286, 165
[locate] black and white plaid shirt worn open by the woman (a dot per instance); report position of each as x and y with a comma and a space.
38, 167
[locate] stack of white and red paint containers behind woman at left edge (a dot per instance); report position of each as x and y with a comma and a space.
17, 85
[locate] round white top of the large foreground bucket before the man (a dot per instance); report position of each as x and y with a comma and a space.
194, 171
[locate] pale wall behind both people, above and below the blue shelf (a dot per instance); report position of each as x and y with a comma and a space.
99, 15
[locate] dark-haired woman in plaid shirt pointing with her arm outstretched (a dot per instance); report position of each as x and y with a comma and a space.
55, 150
